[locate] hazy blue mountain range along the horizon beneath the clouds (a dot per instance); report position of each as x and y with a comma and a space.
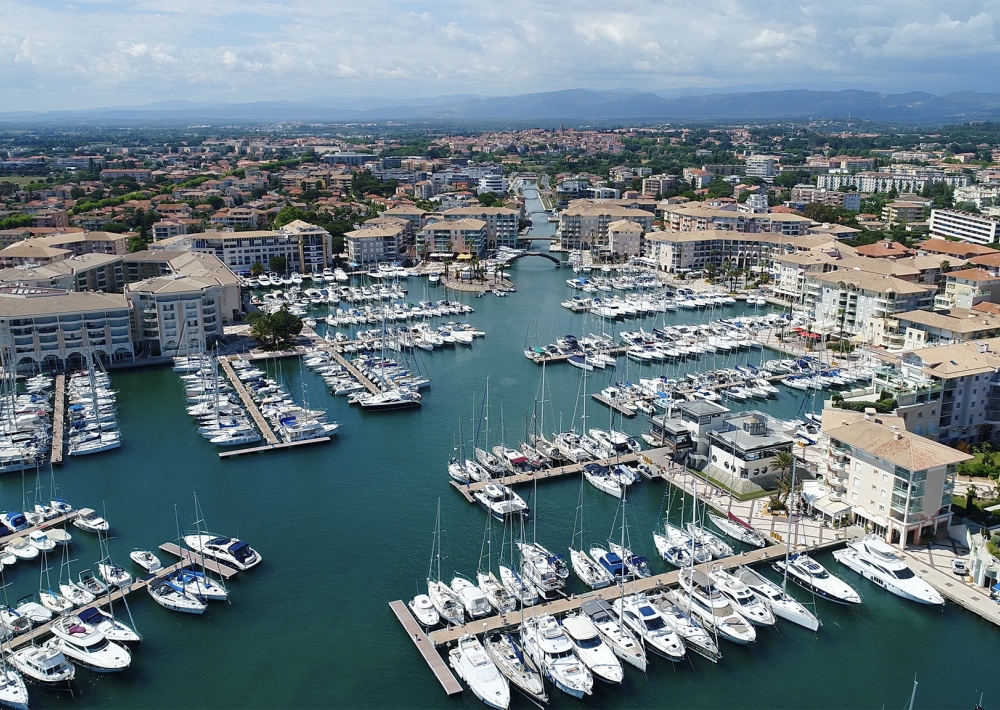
573, 105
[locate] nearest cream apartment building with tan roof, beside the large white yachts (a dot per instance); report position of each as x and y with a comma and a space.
898, 483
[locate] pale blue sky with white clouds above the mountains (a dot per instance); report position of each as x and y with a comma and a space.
96, 53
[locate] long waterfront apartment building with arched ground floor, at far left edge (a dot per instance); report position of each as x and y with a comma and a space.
55, 328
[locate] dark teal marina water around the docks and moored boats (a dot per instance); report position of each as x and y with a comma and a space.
346, 527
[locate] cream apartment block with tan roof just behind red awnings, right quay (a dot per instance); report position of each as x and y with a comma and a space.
861, 302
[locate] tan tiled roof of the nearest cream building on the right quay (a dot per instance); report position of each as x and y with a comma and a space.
896, 446
